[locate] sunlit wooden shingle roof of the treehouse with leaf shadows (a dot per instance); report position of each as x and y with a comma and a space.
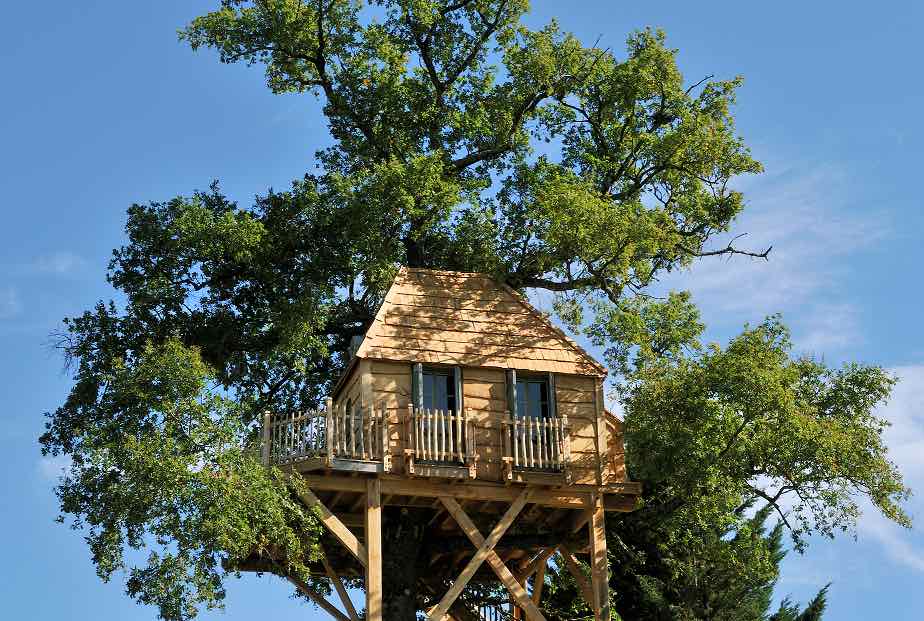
462, 318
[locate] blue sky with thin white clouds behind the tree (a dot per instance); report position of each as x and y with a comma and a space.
102, 107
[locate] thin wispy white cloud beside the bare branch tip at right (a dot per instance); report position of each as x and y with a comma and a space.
803, 212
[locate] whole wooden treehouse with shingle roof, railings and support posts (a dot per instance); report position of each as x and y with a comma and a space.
463, 402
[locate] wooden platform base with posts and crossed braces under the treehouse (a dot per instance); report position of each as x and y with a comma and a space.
537, 522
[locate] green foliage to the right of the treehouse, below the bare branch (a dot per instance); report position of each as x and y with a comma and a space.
713, 433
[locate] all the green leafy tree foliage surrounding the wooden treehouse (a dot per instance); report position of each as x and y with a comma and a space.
462, 140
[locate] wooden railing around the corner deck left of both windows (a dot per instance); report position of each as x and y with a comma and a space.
331, 434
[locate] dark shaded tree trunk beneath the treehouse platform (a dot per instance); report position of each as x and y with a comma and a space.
402, 540
